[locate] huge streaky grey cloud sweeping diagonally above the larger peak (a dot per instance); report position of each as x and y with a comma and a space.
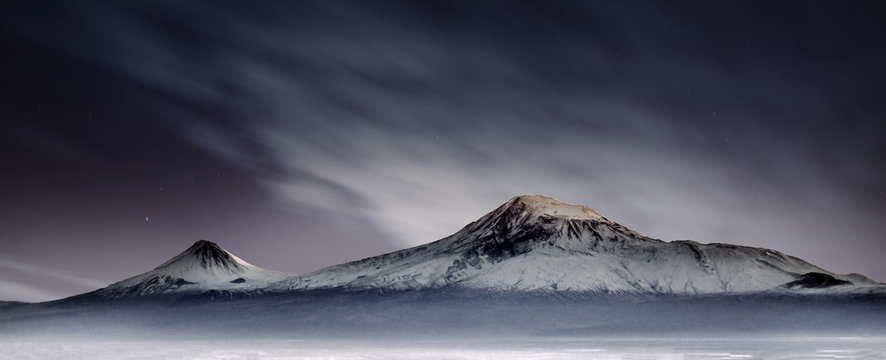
420, 123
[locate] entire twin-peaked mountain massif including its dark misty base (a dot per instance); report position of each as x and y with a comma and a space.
535, 266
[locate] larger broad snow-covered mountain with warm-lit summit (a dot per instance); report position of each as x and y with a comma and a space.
536, 243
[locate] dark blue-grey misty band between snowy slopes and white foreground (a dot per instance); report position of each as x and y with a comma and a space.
444, 315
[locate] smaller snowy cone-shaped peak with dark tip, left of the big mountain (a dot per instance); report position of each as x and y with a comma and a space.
203, 266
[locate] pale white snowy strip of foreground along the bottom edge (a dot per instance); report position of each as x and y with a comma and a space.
538, 348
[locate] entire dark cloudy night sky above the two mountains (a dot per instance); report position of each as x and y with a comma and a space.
304, 134
